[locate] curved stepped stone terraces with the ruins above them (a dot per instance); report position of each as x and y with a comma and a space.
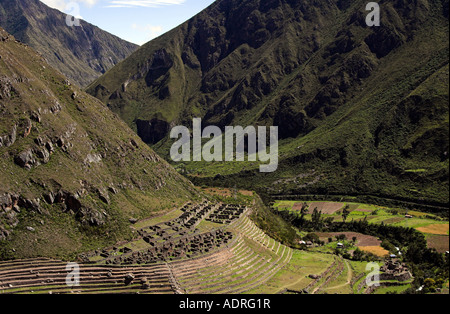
176, 258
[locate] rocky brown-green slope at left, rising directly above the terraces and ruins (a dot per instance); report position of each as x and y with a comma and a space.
73, 175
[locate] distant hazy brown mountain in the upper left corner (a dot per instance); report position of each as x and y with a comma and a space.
82, 53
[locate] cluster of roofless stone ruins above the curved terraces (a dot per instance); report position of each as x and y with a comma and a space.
174, 239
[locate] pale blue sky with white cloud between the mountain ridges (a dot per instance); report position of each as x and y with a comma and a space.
137, 21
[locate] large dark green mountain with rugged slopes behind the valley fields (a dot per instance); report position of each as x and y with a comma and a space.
361, 111
